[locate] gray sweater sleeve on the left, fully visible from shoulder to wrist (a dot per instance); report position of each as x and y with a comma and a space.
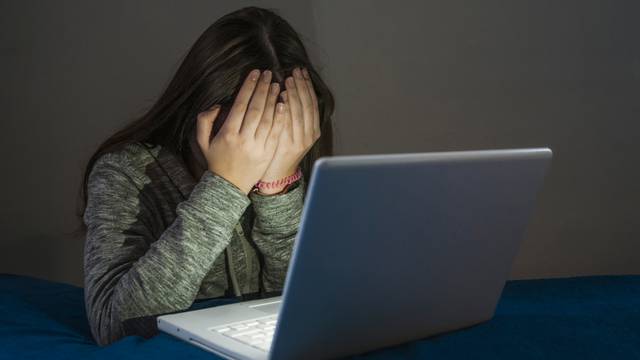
129, 273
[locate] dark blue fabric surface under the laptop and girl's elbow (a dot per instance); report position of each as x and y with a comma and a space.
595, 317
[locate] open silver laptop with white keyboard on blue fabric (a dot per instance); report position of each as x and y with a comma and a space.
391, 248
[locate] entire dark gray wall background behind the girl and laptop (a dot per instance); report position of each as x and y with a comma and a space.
423, 76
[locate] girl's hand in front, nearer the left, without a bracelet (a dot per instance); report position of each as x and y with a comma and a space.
243, 148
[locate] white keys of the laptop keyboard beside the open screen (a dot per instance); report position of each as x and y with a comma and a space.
255, 332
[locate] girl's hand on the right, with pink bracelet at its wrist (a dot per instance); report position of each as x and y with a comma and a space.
301, 128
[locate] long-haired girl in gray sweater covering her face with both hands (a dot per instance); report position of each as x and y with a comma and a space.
174, 205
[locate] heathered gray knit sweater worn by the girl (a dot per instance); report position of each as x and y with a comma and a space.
157, 240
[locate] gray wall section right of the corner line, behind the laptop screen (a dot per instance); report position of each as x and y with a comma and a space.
457, 75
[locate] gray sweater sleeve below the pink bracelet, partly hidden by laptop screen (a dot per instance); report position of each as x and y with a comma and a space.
274, 230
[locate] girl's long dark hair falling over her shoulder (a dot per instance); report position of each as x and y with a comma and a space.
212, 73
